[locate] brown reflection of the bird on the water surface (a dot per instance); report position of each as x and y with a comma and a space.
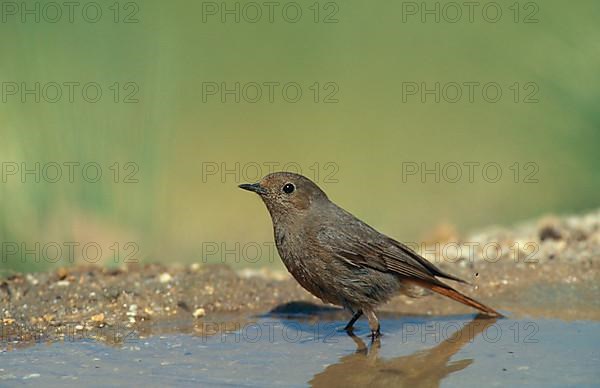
423, 368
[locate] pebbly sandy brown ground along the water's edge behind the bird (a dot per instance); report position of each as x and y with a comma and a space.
546, 268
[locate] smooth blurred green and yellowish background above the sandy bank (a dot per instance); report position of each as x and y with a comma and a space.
174, 210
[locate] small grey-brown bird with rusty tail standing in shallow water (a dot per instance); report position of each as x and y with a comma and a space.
340, 259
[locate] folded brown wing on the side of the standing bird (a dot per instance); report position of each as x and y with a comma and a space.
376, 251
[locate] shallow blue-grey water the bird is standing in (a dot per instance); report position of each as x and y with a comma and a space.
311, 350
